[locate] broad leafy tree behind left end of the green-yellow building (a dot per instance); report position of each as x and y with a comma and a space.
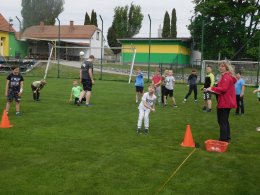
126, 23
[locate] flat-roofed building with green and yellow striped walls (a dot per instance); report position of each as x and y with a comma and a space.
162, 51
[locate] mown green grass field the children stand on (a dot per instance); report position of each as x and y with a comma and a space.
59, 148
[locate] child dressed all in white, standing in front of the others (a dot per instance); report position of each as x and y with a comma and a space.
146, 105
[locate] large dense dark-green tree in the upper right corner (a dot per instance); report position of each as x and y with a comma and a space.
229, 26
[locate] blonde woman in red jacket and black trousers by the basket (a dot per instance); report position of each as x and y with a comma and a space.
226, 98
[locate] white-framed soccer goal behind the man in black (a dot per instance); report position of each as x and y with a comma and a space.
111, 63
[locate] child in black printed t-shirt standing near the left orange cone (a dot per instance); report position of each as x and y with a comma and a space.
14, 89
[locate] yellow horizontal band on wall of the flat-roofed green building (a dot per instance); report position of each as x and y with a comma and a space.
177, 49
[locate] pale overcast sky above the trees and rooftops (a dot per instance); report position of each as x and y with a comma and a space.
75, 10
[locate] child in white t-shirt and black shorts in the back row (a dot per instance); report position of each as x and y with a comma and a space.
169, 86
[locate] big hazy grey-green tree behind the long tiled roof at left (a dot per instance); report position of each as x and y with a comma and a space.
34, 11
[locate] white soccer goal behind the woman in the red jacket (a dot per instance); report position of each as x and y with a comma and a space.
248, 69
